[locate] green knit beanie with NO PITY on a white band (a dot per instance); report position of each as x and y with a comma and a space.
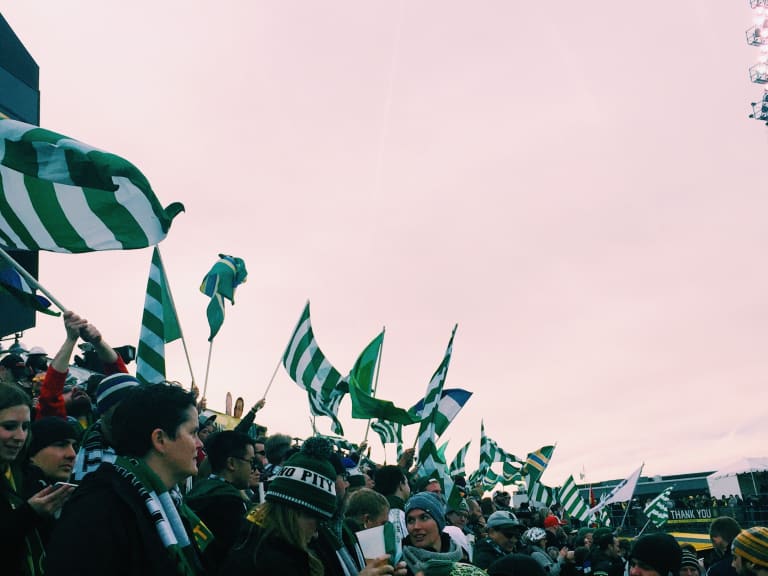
307, 480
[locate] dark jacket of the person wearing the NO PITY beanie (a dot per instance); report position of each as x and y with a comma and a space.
260, 555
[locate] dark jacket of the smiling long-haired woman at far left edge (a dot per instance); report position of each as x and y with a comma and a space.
19, 526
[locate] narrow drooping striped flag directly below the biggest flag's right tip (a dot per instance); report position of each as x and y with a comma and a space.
159, 325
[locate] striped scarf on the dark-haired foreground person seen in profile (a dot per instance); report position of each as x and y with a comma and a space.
167, 510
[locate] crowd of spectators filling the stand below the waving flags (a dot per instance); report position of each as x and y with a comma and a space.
114, 477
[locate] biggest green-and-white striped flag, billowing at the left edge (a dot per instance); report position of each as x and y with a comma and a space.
61, 195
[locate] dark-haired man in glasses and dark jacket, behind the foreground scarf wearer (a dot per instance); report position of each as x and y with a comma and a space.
218, 500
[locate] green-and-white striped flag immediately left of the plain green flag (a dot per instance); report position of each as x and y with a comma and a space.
307, 366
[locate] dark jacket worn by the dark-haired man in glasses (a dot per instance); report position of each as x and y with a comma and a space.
222, 509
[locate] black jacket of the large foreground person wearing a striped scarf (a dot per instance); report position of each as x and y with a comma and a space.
106, 530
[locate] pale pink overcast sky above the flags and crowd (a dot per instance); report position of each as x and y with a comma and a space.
577, 185
